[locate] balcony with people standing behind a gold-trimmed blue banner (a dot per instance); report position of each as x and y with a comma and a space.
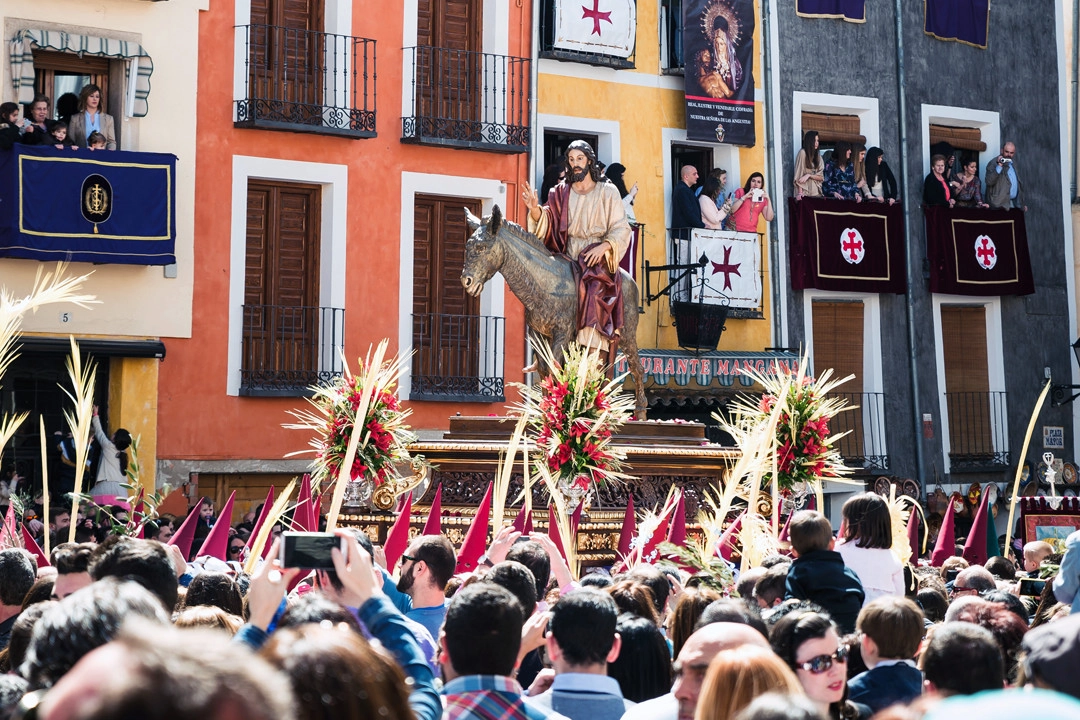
69, 194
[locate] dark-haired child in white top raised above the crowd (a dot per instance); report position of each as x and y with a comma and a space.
867, 546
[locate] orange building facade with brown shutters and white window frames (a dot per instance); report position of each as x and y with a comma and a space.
339, 142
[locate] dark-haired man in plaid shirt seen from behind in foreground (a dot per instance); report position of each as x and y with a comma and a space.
480, 644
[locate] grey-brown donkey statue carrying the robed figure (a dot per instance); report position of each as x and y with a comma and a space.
545, 284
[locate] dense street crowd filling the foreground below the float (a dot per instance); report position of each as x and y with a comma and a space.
834, 628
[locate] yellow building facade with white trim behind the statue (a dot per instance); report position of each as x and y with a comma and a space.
638, 117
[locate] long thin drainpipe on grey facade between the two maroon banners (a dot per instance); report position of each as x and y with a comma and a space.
909, 254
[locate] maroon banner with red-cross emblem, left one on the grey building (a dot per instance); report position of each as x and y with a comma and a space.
848, 247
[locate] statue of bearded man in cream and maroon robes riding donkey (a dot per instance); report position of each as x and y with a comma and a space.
585, 220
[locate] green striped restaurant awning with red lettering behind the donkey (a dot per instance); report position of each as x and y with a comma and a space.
720, 369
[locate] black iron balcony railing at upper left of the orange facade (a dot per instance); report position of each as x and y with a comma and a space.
306, 81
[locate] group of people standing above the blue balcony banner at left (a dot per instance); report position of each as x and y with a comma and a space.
80, 123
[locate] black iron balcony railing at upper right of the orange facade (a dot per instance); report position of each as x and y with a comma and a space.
467, 100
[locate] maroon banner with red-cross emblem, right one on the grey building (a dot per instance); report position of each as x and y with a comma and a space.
978, 252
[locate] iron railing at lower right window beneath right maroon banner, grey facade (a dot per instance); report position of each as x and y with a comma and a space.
978, 430
